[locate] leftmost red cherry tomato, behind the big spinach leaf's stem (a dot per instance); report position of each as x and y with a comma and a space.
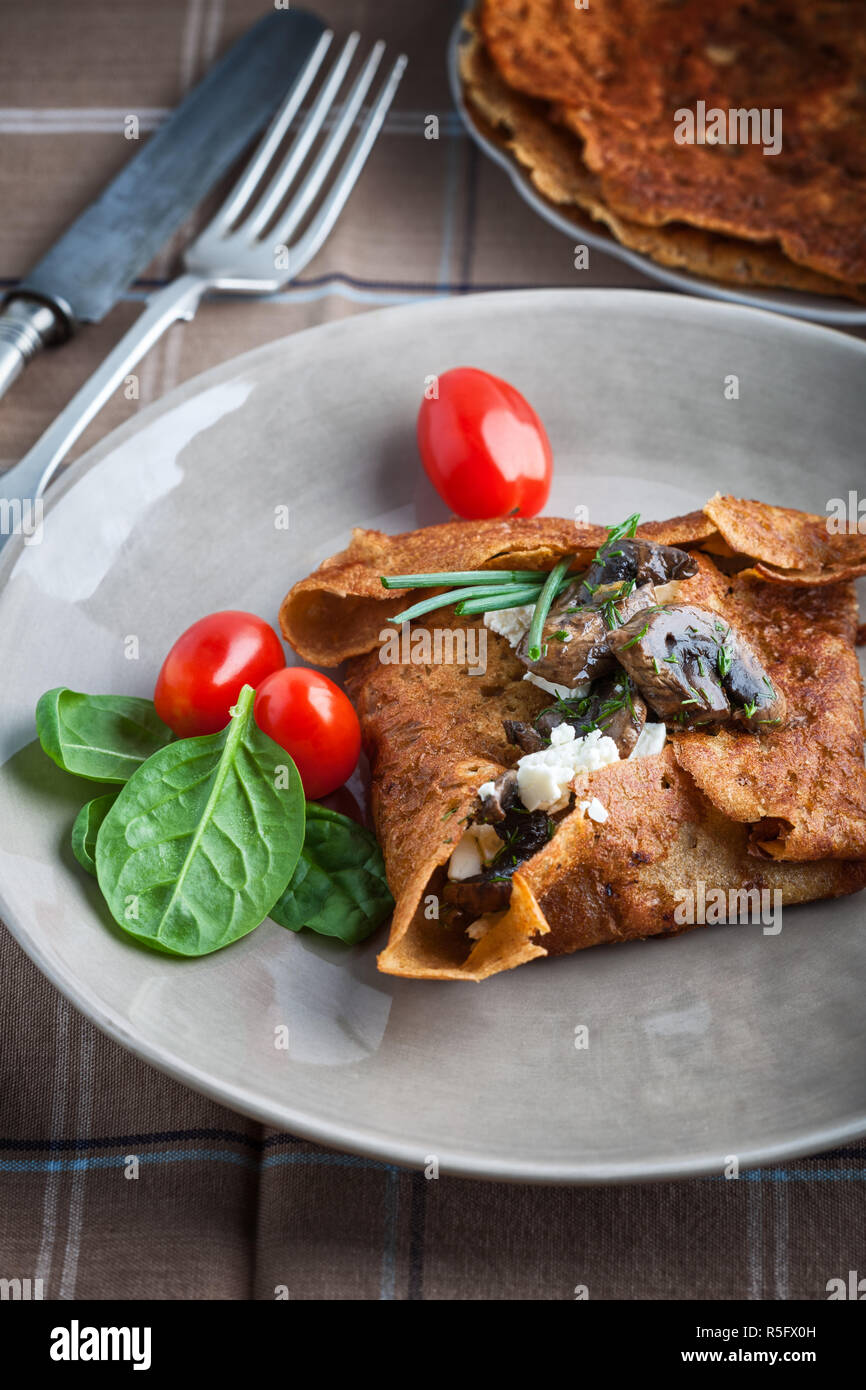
208, 668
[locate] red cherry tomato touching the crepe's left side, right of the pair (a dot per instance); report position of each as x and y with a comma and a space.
315, 722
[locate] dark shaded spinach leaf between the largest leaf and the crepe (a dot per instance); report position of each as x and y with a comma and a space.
338, 888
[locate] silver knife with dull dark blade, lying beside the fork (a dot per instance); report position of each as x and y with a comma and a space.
92, 265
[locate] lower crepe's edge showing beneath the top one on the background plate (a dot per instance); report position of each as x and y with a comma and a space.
555, 163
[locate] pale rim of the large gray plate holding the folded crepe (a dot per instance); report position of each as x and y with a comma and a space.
366, 1142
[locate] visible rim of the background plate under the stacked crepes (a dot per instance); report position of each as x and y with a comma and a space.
819, 309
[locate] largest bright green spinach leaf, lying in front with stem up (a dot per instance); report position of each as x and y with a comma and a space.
204, 839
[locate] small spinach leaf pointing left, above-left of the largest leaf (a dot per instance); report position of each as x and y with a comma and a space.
99, 737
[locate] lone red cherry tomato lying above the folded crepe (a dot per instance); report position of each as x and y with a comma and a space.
484, 448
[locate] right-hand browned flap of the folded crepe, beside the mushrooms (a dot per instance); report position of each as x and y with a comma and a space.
801, 789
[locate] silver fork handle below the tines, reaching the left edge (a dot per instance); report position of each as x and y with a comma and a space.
31, 476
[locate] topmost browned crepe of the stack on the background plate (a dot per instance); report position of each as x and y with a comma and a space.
619, 70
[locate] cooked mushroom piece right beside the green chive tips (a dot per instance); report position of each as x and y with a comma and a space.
575, 641
